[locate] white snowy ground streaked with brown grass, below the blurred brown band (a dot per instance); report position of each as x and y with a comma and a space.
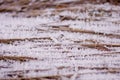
75, 43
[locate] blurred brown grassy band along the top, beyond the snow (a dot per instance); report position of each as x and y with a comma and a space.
32, 8
